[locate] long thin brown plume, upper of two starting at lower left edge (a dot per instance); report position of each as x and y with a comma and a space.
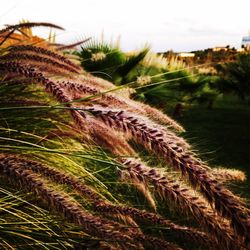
104, 206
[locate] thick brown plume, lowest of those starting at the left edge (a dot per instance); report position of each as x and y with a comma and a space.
72, 210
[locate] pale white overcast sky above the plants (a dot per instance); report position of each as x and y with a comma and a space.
179, 25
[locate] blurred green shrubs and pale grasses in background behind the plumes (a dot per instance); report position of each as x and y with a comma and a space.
143, 71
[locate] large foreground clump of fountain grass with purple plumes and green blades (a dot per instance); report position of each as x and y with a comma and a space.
79, 146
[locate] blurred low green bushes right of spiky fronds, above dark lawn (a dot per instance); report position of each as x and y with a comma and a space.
178, 86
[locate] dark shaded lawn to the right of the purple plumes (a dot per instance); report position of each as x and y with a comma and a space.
222, 136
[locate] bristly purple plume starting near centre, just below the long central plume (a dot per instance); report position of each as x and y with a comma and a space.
185, 200
